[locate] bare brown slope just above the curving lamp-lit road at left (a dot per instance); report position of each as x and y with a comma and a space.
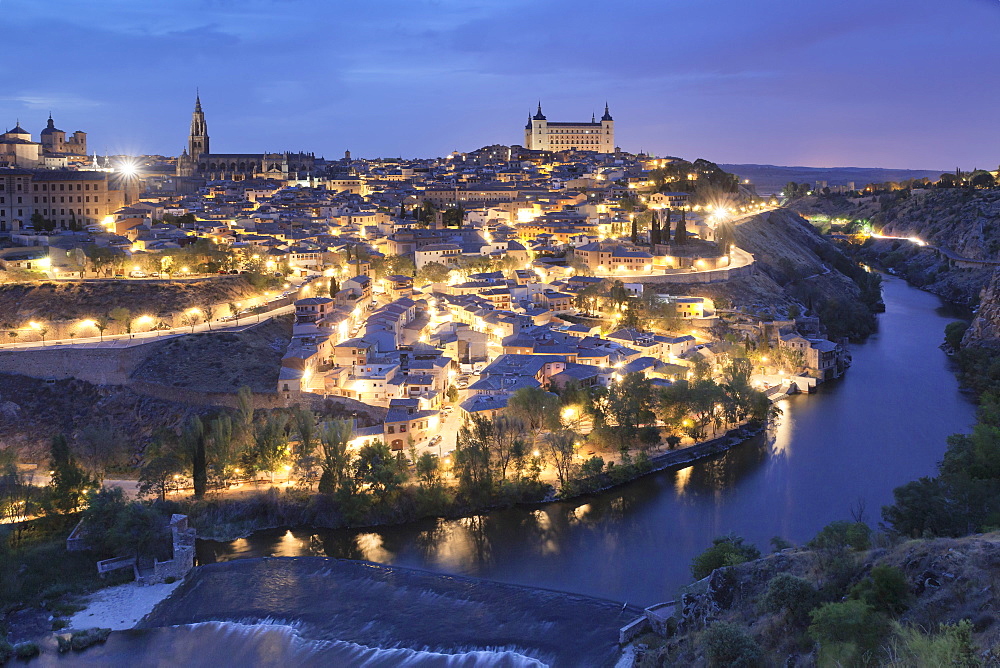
75, 300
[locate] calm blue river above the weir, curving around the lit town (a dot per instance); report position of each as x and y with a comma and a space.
883, 424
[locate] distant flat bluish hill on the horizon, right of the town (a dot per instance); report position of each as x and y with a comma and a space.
770, 179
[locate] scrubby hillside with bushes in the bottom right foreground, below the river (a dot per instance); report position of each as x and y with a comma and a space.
943, 581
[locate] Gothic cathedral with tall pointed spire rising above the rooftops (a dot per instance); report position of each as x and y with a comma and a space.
198, 161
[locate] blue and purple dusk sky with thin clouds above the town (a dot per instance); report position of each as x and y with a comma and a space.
873, 83
